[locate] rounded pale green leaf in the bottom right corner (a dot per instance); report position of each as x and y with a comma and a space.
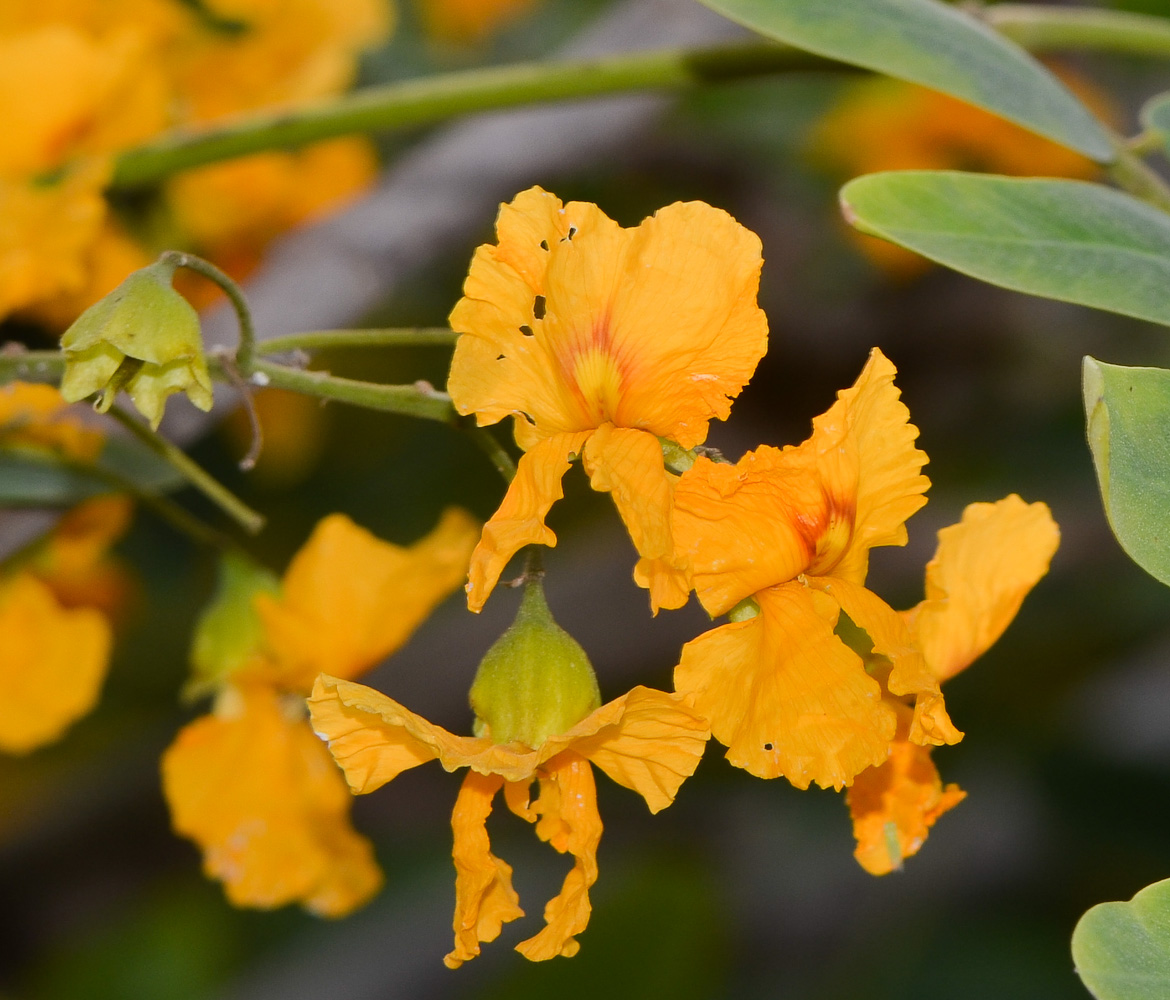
1123, 950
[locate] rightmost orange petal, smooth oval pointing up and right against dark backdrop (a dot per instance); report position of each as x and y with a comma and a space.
985, 568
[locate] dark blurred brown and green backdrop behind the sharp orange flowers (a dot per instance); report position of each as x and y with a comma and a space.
744, 888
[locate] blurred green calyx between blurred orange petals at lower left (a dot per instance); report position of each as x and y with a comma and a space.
230, 632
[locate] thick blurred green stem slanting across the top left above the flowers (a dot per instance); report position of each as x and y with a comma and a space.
442, 96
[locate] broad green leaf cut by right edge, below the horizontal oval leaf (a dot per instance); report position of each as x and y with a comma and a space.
1128, 417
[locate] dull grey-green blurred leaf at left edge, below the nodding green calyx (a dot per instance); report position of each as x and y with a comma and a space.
33, 478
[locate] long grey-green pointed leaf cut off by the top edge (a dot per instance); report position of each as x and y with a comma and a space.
939, 46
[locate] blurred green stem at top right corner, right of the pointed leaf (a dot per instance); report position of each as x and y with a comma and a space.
1048, 29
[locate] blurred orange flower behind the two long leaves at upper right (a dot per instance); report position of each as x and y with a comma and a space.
882, 125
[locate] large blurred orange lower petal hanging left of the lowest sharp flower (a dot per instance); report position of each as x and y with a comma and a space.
260, 796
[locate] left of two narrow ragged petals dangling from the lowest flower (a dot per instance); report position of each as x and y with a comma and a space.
485, 899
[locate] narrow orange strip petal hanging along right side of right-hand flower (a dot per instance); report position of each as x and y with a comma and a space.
892, 639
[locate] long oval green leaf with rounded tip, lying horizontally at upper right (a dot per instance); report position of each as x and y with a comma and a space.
1061, 239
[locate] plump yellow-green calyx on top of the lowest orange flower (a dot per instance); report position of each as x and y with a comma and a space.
535, 681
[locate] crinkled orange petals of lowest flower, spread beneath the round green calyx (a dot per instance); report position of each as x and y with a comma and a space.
648, 741
